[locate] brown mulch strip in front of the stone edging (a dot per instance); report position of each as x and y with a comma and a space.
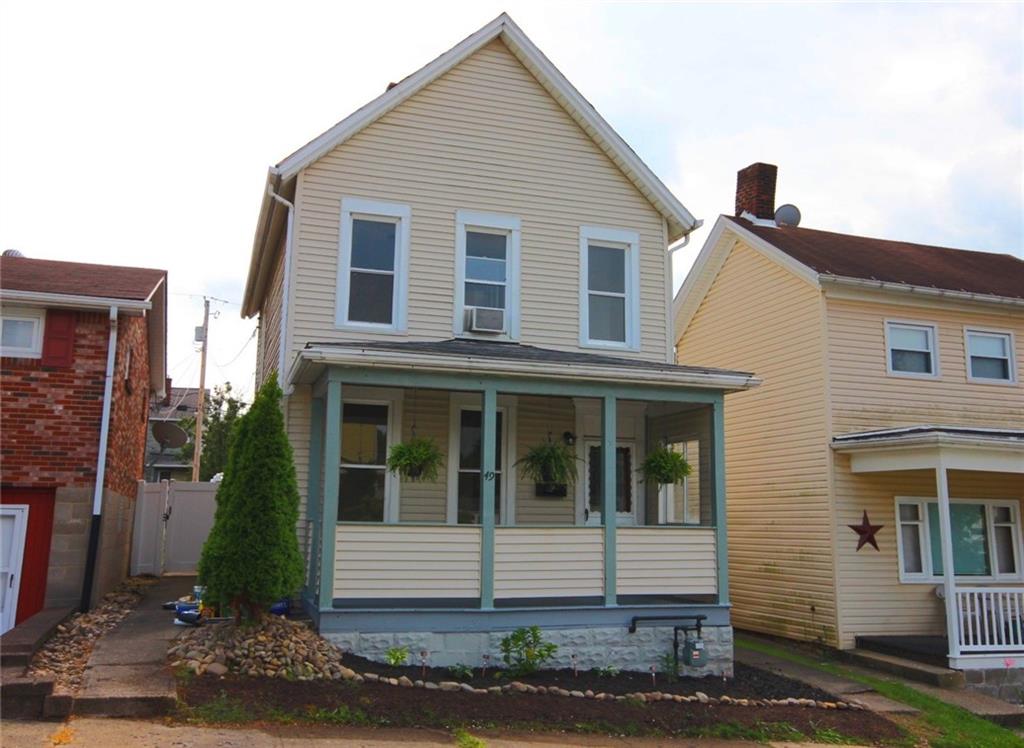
269, 699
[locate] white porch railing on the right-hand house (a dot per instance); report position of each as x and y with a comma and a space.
991, 619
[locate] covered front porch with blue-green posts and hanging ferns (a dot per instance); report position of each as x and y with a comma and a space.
482, 547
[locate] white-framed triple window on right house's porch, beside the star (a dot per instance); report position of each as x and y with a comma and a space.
986, 539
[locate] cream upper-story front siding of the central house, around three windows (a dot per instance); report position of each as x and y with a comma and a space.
485, 137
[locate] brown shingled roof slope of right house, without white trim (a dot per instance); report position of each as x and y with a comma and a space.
881, 260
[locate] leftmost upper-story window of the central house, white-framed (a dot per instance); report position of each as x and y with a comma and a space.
373, 265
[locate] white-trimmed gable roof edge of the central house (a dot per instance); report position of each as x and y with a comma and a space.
680, 221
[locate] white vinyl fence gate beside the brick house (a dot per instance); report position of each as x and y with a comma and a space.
173, 522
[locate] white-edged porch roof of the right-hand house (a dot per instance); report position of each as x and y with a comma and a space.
915, 448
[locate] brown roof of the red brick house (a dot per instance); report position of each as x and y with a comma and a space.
78, 279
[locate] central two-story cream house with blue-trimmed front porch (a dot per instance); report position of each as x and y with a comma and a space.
477, 259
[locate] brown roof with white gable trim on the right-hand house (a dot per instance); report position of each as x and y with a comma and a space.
820, 257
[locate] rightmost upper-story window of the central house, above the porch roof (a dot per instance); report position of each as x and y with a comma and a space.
610, 294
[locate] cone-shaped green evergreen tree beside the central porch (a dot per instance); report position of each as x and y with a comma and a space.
252, 556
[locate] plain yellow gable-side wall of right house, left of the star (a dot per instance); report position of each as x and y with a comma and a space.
761, 318
